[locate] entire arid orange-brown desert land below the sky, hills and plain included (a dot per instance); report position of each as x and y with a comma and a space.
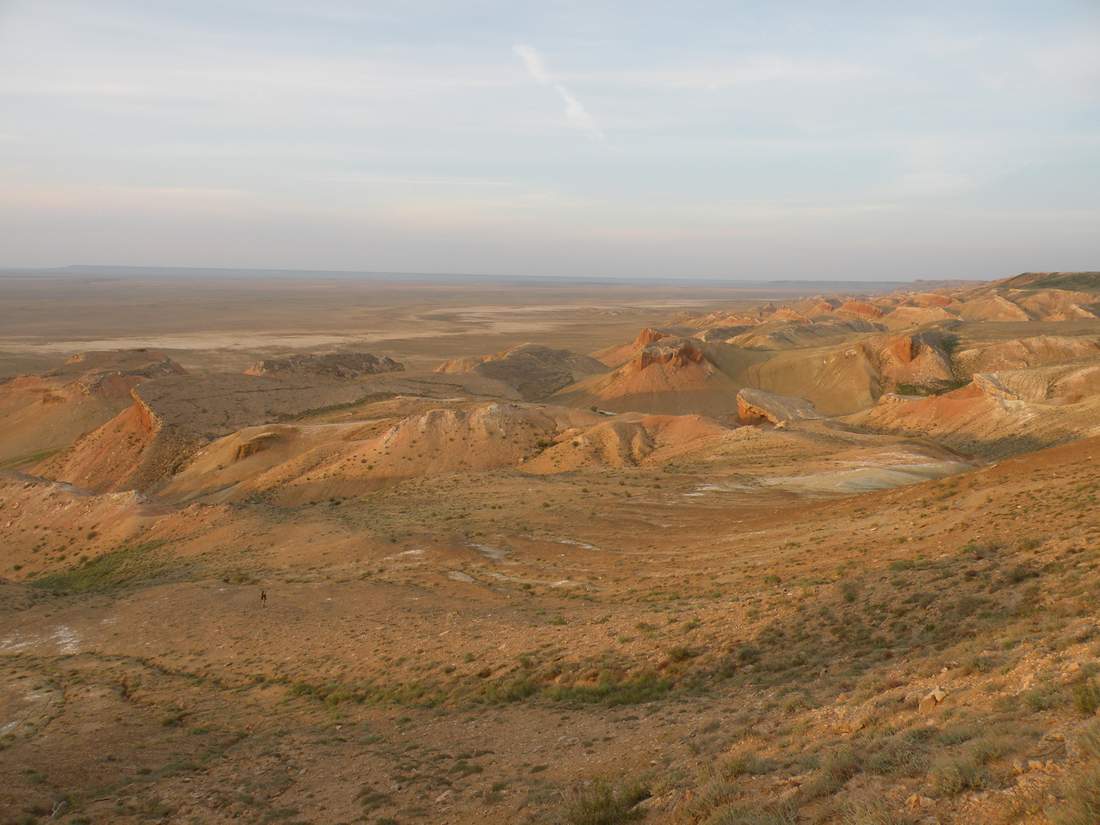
548, 551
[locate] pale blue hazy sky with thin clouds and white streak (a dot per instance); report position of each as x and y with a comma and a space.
727, 140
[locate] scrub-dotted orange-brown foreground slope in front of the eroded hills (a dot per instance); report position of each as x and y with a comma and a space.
766, 658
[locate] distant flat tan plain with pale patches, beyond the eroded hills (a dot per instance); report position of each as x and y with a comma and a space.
232, 316
